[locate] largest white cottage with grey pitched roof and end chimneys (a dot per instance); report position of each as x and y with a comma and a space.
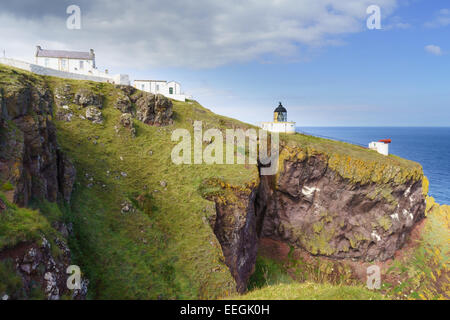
68, 61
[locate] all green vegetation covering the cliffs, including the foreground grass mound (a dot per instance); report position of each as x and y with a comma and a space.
142, 226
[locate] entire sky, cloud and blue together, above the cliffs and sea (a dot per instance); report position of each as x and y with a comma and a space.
240, 58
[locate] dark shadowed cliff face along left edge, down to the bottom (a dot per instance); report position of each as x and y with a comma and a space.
32, 166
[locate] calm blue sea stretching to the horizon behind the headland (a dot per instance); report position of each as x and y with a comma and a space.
428, 146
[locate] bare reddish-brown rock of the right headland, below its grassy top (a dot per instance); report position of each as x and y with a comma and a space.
314, 208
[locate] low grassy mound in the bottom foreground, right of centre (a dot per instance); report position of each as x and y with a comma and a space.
311, 291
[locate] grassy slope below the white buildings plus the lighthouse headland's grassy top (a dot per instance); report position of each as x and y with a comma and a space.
166, 249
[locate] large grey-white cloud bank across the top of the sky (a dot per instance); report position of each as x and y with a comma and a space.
195, 34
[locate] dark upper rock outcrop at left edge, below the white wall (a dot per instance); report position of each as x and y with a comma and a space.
30, 158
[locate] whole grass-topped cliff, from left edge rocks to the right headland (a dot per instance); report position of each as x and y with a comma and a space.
95, 159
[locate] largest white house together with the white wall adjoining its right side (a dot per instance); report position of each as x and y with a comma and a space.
76, 62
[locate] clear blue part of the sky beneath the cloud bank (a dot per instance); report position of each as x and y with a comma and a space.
376, 78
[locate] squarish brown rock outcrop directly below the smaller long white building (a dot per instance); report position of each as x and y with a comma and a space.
155, 110
